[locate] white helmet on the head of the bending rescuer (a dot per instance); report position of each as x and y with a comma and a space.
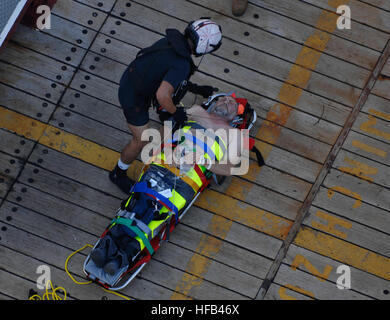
205, 34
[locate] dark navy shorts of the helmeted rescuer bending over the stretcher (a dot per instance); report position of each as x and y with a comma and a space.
135, 106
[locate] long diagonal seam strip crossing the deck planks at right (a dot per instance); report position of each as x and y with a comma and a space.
303, 211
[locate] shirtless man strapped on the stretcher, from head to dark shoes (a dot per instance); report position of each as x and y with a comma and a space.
207, 143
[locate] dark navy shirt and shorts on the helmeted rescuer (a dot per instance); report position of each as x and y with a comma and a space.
171, 61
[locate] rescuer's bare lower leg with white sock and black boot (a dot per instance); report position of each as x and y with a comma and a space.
128, 155
